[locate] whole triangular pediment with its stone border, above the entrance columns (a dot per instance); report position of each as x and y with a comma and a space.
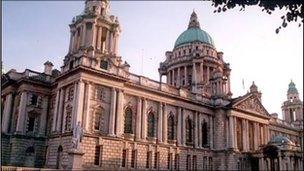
251, 104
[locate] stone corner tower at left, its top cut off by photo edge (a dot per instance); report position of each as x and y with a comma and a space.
94, 39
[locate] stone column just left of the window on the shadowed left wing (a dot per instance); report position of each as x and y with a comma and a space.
22, 113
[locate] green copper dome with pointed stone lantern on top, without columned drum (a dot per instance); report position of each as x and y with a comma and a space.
194, 33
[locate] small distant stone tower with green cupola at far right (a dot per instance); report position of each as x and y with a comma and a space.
292, 108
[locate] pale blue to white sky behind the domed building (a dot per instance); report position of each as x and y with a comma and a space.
36, 31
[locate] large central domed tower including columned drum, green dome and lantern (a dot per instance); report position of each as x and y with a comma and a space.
193, 62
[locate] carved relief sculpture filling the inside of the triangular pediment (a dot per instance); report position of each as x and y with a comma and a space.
252, 104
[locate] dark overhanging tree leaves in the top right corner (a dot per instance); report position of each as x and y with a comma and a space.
294, 8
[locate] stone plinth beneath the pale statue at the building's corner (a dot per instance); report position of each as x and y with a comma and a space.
75, 159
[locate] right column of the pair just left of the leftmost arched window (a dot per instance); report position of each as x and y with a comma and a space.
119, 119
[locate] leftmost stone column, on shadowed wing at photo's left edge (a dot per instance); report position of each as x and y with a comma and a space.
7, 112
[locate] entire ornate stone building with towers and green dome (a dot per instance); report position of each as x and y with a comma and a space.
132, 122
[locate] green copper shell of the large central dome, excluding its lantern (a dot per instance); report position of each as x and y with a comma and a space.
194, 35
